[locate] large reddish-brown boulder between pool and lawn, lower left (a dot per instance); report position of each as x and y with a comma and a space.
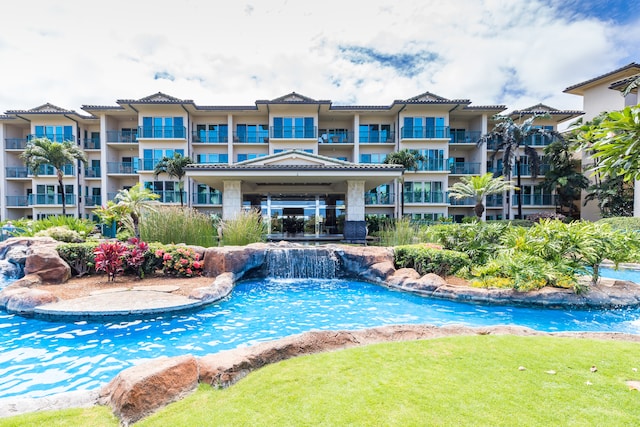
138, 391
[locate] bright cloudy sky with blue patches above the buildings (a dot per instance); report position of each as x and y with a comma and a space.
352, 52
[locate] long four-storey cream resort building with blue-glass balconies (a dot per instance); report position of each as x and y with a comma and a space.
307, 165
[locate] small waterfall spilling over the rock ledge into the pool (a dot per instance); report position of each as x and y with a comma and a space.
299, 263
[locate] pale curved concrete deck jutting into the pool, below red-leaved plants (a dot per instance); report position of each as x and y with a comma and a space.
118, 302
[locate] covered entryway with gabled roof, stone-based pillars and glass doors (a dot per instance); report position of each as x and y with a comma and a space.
298, 193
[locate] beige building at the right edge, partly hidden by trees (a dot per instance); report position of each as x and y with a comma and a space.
600, 94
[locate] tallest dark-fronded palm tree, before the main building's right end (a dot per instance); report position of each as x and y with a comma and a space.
510, 136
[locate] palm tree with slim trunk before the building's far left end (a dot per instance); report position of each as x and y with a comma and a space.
43, 151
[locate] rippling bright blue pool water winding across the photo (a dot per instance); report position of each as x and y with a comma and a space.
42, 358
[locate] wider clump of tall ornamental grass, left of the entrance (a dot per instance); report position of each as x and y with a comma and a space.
173, 224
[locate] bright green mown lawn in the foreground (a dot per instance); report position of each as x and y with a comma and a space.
471, 381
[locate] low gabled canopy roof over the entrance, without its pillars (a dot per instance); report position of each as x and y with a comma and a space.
294, 172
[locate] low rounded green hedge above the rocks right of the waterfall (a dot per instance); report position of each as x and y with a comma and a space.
425, 260
